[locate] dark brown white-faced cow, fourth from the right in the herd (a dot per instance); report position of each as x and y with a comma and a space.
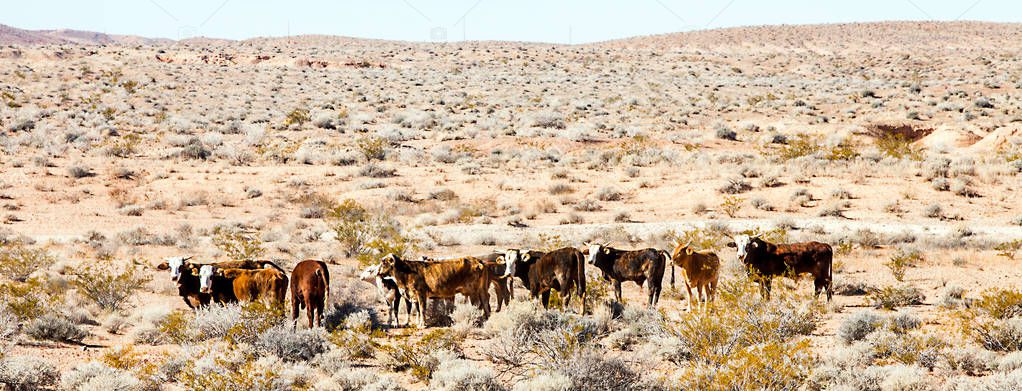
564, 270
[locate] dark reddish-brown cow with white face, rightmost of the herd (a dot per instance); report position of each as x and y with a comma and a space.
765, 261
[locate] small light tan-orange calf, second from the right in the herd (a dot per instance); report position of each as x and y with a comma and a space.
701, 270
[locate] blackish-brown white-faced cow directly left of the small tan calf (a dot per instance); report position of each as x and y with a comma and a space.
638, 266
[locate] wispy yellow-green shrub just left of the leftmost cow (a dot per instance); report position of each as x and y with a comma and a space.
109, 289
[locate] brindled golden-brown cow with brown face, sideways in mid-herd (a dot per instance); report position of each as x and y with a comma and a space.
440, 279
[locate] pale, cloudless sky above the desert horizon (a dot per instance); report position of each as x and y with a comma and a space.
451, 21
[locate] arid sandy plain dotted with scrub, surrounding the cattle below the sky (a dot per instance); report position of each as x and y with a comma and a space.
900, 144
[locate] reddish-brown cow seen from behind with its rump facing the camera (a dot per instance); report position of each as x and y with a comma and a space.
310, 287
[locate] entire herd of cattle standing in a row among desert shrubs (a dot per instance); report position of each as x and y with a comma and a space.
417, 281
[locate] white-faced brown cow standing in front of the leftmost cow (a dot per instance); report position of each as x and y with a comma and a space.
233, 285
